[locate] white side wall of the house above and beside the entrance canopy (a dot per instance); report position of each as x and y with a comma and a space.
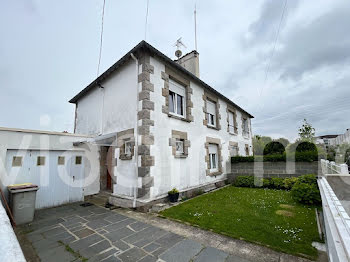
113, 109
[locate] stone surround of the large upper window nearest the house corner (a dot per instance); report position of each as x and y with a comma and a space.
170, 74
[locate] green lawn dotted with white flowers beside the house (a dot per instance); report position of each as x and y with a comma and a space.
250, 214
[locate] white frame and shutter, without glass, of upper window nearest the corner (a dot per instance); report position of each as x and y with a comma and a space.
177, 91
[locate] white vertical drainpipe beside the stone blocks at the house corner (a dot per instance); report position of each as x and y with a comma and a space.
136, 130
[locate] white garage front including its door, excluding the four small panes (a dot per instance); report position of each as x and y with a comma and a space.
52, 179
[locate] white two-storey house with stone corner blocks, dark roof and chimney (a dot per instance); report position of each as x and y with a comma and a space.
159, 126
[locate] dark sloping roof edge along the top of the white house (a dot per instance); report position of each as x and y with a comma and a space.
143, 46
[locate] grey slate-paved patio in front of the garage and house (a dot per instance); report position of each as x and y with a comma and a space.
93, 233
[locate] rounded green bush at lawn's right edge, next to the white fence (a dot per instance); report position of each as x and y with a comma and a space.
306, 193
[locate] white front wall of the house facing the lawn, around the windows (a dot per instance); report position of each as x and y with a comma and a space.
189, 172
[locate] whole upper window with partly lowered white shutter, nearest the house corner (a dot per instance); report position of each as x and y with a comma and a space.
176, 98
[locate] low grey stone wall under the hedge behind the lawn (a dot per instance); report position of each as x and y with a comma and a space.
274, 169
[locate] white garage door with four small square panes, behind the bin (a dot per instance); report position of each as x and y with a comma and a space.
59, 174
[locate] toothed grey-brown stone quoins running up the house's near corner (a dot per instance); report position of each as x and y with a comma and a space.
144, 126
